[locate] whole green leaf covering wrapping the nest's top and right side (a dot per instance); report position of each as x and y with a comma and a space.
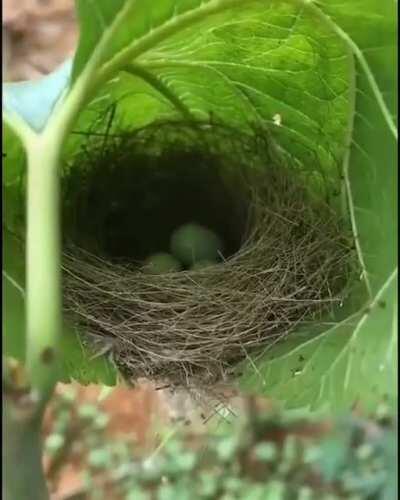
327, 69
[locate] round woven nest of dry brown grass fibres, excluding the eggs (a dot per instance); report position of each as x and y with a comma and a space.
286, 264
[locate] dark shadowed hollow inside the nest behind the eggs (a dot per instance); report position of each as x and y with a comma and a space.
133, 213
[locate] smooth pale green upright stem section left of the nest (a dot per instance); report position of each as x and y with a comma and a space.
43, 261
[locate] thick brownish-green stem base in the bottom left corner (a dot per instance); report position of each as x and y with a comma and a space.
23, 476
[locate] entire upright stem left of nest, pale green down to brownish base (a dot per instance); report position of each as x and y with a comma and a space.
22, 418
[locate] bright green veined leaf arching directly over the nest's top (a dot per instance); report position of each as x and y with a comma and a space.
240, 61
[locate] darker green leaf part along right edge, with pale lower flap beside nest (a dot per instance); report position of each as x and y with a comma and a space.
356, 360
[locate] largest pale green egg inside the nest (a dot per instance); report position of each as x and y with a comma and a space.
191, 243
